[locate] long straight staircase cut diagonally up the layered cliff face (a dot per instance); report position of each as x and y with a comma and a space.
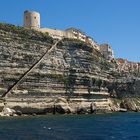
30, 69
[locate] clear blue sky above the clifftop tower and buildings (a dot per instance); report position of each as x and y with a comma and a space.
116, 22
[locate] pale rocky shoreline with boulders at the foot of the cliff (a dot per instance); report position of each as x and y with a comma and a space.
62, 106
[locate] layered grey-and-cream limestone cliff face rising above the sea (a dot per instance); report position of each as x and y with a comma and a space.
72, 78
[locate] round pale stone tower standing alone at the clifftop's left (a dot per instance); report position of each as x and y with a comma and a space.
32, 20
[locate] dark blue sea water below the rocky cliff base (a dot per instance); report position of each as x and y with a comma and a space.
117, 126
